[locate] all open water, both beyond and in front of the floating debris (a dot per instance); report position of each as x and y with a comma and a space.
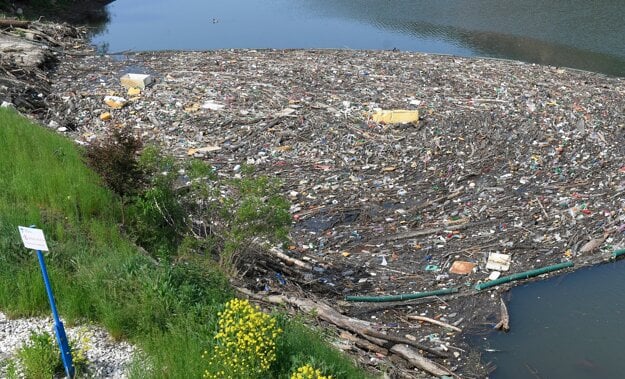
567, 327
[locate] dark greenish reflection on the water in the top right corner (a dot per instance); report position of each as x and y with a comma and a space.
573, 33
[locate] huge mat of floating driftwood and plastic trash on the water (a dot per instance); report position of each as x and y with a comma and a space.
506, 157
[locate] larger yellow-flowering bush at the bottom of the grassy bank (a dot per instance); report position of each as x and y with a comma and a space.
245, 342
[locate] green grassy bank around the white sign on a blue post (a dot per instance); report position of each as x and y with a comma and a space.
168, 310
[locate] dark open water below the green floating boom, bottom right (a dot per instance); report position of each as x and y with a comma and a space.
571, 326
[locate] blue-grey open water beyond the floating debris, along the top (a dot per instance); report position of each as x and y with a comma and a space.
572, 33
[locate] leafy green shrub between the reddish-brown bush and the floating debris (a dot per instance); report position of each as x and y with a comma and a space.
239, 210
